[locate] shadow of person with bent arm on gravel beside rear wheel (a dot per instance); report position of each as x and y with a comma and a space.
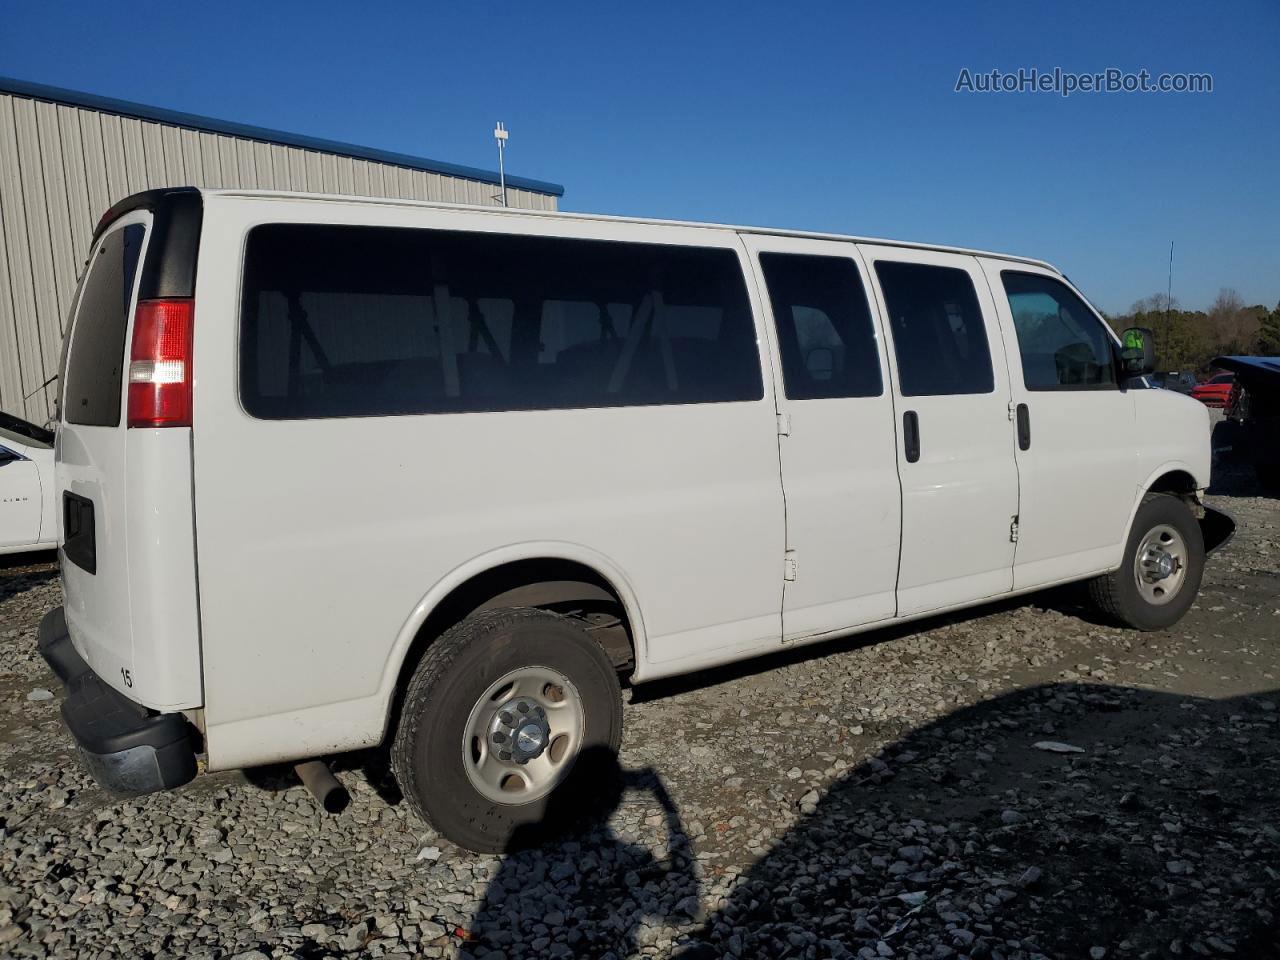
593, 892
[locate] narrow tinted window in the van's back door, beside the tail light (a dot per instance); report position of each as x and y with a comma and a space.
94, 377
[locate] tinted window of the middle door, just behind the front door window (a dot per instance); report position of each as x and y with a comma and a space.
938, 327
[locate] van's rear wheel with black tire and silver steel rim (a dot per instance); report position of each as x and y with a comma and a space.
502, 721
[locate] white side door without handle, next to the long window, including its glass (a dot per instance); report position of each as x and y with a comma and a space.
836, 437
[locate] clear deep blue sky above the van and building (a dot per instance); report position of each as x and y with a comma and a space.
824, 116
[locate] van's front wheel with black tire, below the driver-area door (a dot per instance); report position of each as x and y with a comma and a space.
1162, 570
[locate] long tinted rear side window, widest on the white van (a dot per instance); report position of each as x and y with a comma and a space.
374, 322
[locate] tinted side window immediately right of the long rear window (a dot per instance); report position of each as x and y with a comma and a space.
826, 333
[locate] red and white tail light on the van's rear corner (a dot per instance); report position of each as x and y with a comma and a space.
161, 363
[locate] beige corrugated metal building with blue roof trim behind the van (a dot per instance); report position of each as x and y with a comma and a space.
67, 157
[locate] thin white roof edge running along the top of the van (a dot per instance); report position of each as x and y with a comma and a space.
565, 216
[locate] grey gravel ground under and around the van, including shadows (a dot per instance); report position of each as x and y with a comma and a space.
1014, 783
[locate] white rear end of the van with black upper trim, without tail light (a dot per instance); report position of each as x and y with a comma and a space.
126, 533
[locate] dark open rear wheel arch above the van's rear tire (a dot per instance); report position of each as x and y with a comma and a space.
560, 586
